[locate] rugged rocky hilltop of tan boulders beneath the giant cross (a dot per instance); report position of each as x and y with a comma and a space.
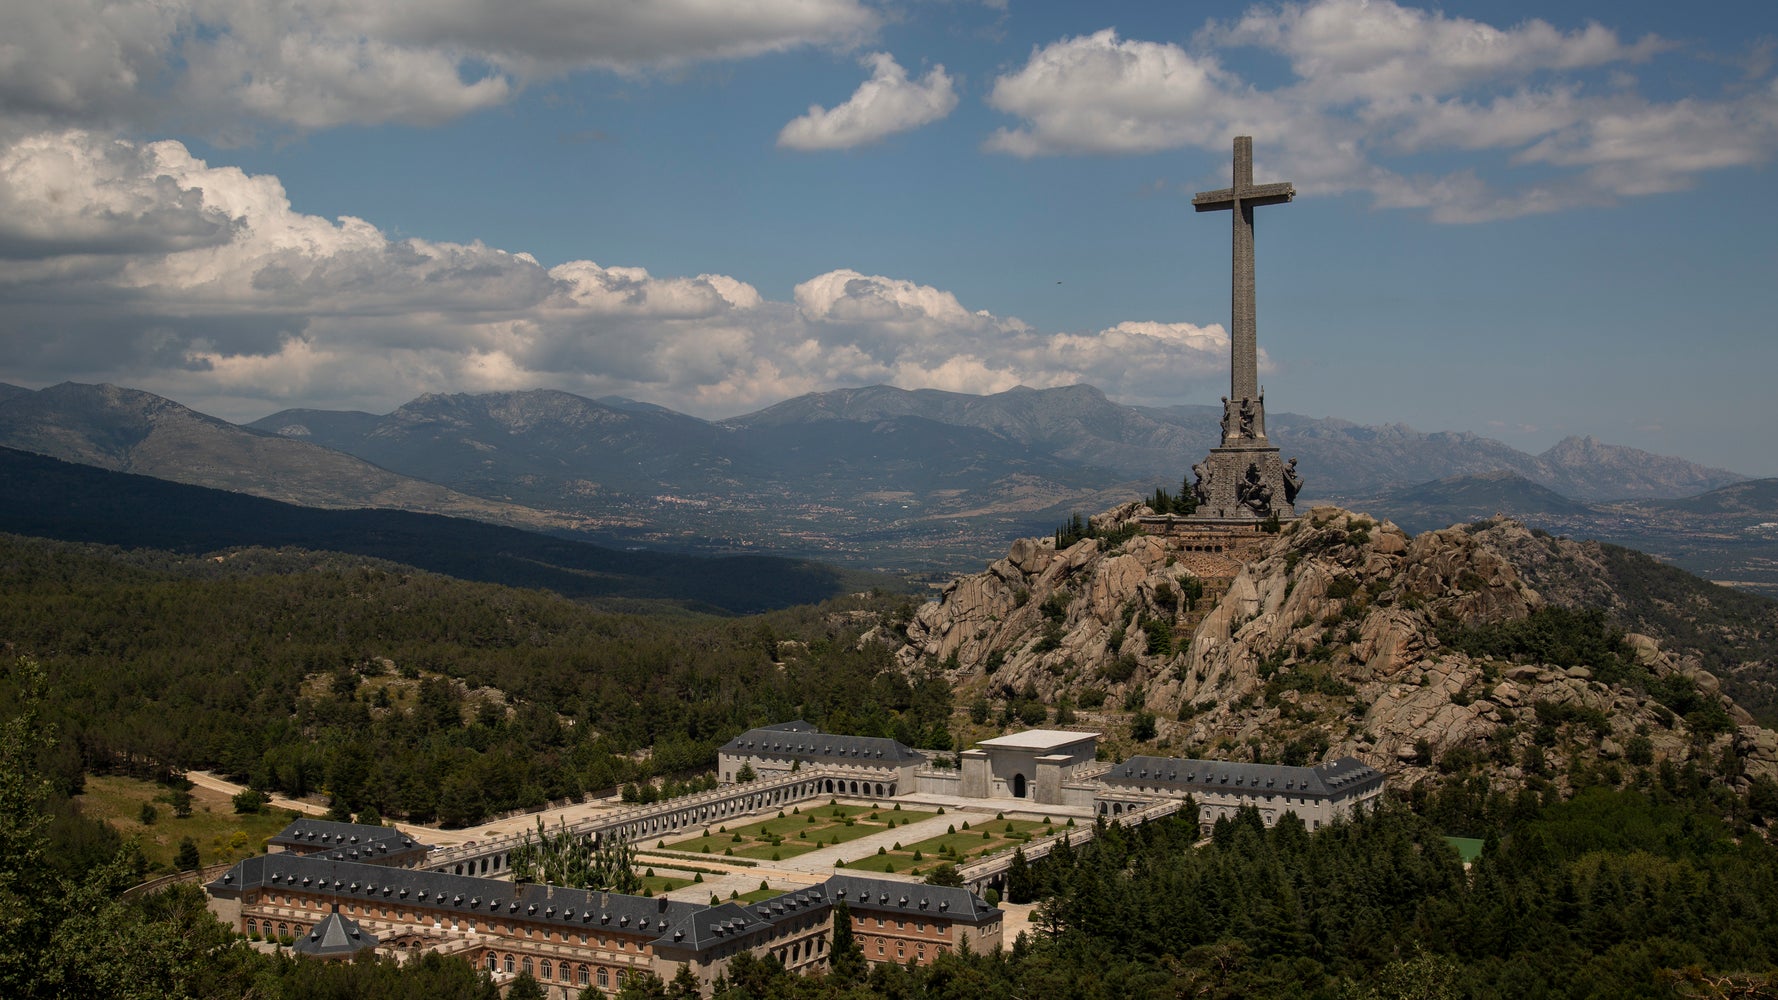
1454, 650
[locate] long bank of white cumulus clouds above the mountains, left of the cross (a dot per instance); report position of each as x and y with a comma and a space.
243, 305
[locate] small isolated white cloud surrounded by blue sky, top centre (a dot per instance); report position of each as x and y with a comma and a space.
881, 108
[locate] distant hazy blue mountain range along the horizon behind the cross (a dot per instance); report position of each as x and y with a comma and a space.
881, 478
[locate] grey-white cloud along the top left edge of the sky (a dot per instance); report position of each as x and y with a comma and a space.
326, 63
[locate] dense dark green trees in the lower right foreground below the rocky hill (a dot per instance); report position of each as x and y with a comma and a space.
1614, 894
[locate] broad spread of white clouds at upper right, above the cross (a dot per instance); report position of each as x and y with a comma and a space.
1375, 81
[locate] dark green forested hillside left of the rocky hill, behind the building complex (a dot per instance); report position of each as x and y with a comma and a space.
415, 695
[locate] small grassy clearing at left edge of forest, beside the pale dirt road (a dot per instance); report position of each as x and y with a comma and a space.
220, 832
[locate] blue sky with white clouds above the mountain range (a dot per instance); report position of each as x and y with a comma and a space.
1518, 220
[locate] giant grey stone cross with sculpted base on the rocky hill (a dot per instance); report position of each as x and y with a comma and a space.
1244, 480
